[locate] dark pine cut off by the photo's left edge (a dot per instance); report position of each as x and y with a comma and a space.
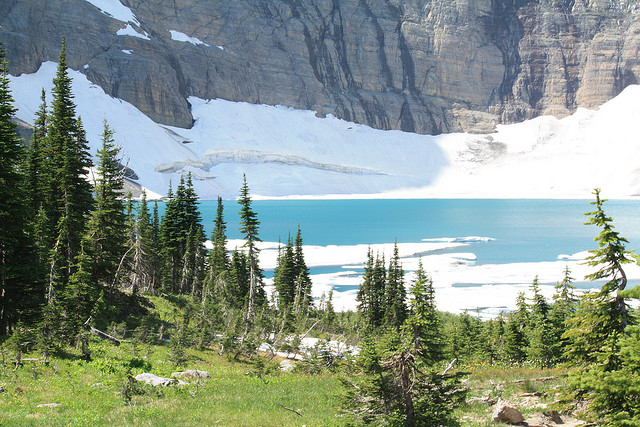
19, 288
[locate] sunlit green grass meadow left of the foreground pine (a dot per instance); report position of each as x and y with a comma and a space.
91, 393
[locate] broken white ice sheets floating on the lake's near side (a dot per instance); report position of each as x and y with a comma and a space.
460, 284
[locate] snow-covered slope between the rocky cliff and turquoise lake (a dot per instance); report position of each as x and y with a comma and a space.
286, 152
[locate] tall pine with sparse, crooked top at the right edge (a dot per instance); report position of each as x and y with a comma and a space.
603, 337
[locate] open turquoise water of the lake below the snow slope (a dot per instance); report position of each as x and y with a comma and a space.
525, 230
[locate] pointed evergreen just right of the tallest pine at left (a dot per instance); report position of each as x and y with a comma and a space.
106, 235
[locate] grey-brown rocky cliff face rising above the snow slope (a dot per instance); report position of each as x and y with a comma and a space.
425, 66
